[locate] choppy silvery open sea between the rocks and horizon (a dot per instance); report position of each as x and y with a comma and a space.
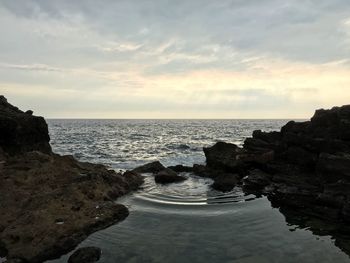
125, 144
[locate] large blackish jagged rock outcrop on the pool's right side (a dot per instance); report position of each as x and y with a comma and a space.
305, 166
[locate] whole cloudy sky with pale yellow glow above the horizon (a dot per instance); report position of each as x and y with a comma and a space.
175, 59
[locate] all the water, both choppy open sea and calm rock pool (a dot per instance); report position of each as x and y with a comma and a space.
187, 221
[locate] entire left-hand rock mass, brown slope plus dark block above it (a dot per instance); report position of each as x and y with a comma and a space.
50, 203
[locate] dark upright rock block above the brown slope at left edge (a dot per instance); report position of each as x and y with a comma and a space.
21, 132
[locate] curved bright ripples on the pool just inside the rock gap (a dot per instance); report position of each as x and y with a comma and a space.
191, 196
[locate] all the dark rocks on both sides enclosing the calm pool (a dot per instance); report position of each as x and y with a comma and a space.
50, 203
